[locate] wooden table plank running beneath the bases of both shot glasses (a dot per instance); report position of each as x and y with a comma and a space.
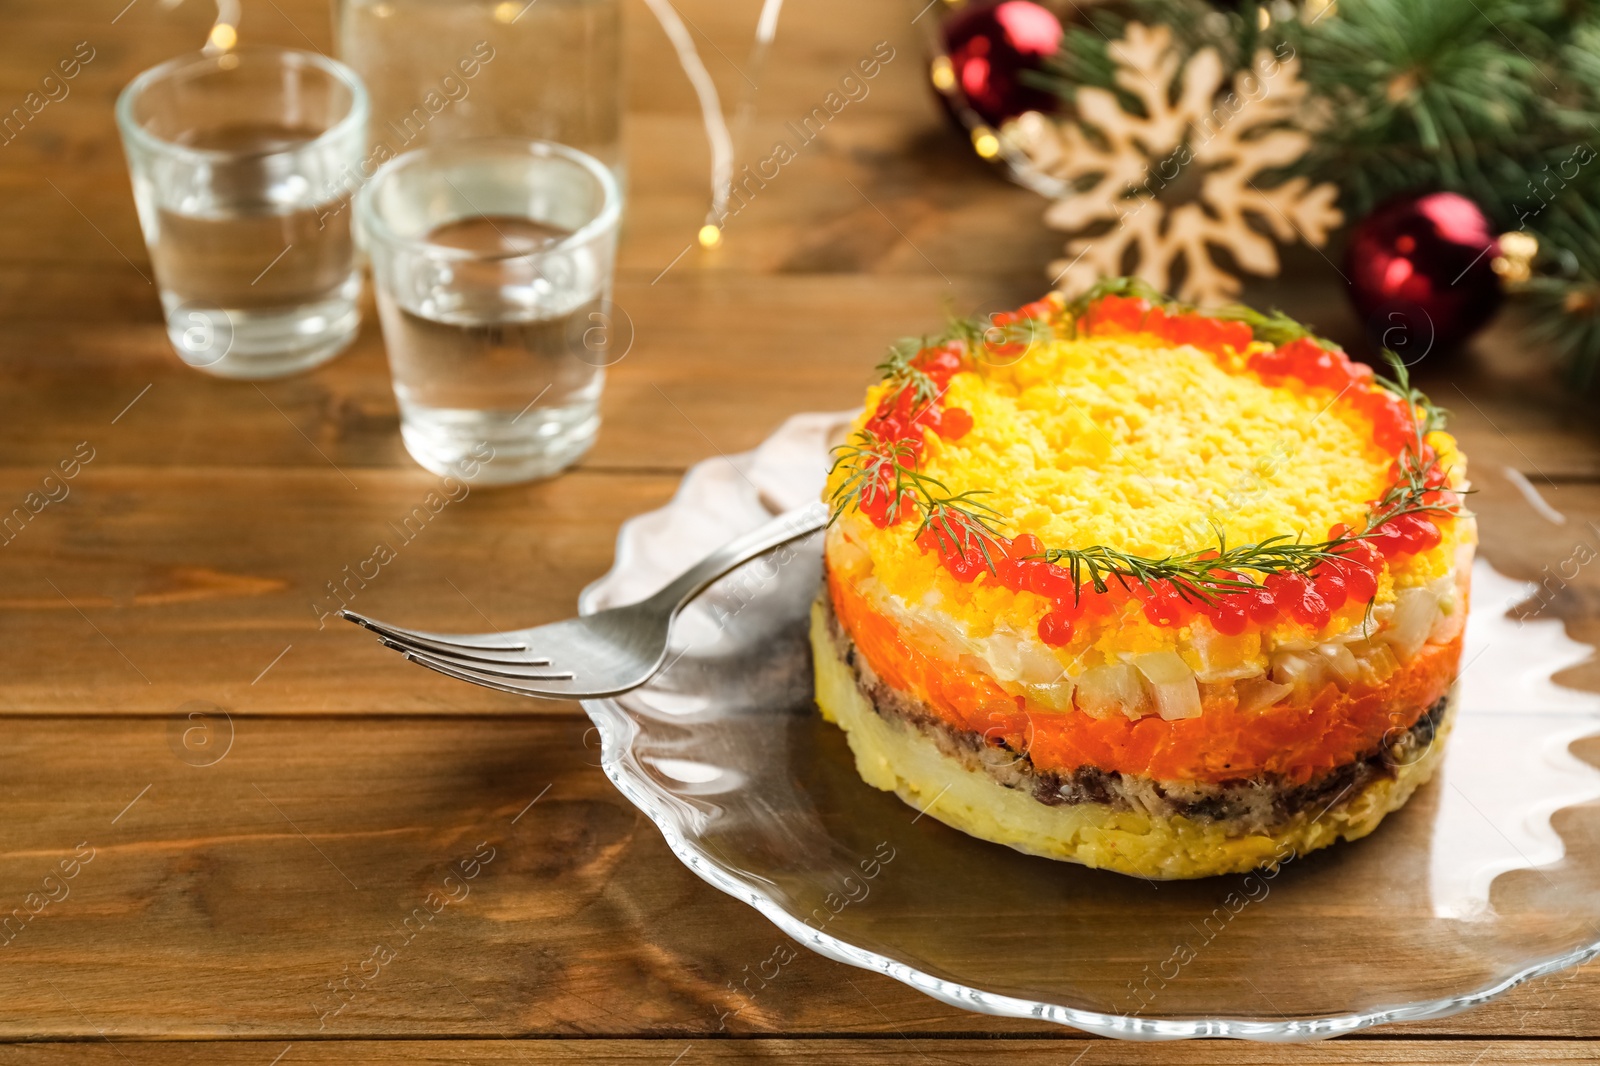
700, 380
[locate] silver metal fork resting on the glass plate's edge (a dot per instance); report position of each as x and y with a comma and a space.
598, 655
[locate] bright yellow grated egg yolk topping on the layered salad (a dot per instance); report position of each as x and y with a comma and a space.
1145, 447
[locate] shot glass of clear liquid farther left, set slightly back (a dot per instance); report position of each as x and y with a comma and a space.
241, 172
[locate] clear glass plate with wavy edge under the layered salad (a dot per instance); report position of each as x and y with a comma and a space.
1489, 878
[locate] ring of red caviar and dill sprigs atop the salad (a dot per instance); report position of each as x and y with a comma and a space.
1298, 580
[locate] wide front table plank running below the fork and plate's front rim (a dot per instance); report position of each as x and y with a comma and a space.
231, 881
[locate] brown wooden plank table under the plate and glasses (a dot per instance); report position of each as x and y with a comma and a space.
186, 574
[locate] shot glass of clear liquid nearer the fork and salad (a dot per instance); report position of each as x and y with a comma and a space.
494, 270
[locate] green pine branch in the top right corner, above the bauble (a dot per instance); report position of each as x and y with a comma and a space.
1474, 97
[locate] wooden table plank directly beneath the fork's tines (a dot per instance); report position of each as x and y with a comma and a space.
146, 588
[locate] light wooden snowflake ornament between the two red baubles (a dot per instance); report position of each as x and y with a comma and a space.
1188, 178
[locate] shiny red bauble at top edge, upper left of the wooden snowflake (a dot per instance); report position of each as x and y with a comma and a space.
991, 46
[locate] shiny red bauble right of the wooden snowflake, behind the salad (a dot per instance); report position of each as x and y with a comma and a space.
1422, 273
